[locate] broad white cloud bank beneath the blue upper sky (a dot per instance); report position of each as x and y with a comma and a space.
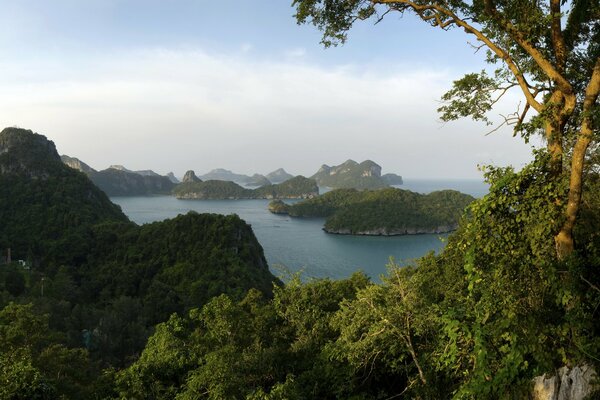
188, 109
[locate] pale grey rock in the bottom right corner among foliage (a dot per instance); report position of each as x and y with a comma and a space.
566, 384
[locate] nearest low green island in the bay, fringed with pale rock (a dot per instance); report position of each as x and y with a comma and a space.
384, 212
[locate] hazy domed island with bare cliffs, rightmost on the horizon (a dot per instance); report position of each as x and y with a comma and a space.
353, 175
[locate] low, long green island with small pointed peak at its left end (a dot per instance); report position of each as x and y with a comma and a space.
295, 188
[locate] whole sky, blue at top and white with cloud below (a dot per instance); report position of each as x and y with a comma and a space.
197, 84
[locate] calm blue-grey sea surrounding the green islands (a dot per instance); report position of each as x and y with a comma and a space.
299, 245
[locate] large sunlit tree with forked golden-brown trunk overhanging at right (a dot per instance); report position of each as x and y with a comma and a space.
548, 49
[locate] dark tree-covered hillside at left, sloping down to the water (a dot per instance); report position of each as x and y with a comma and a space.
91, 284
